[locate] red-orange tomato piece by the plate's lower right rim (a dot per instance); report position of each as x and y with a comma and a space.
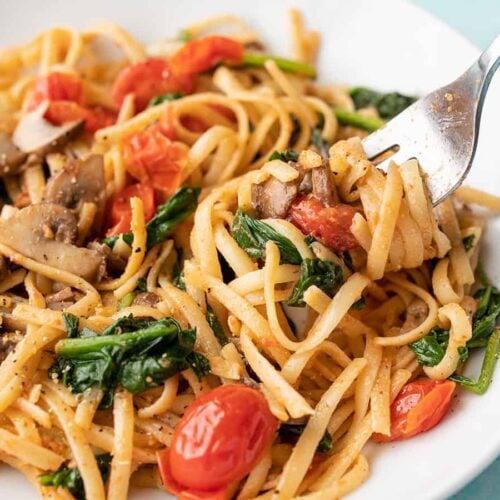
419, 406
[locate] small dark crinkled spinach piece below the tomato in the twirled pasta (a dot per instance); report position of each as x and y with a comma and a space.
322, 273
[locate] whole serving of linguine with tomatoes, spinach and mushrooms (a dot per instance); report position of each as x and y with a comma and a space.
206, 286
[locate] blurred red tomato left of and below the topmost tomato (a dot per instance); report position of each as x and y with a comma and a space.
147, 79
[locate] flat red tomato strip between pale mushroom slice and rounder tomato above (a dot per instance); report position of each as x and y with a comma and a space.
59, 112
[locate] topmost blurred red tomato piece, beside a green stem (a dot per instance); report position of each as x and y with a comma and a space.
201, 55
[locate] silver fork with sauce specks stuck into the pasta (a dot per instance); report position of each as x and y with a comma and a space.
441, 129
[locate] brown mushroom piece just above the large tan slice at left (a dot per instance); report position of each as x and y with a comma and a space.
79, 182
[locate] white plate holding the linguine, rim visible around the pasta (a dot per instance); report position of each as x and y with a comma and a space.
389, 45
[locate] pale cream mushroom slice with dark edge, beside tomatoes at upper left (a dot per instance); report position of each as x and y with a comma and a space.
36, 135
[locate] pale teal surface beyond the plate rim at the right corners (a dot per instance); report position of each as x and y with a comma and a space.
479, 21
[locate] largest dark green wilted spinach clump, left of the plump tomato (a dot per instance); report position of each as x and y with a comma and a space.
133, 352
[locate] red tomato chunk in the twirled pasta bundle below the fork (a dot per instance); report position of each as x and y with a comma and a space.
330, 225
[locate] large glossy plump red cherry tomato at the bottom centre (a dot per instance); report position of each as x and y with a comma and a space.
218, 441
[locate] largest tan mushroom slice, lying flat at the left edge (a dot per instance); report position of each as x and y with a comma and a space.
44, 233
